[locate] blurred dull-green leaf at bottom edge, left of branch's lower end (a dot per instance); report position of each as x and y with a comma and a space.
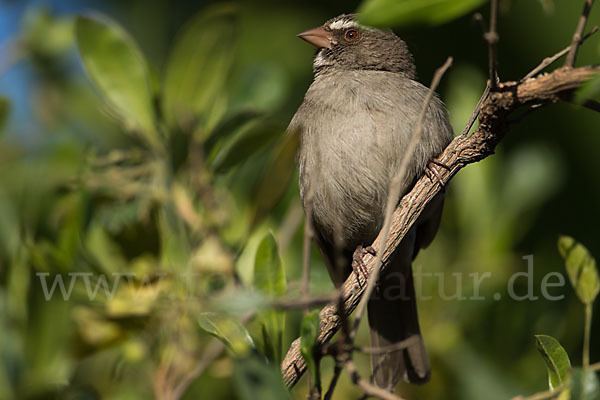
257, 380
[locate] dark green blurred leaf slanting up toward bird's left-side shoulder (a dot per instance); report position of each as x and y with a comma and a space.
251, 138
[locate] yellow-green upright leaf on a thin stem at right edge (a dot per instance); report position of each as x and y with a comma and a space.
581, 268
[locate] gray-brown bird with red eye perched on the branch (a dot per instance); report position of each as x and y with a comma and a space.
355, 123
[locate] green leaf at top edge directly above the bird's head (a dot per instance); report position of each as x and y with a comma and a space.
409, 12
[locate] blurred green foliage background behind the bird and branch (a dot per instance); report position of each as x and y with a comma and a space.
80, 191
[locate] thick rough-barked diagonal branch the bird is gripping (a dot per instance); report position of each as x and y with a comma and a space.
463, 150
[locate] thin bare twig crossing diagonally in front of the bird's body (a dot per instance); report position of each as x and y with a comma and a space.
394, 193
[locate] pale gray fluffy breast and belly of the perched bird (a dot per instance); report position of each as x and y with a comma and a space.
345, 170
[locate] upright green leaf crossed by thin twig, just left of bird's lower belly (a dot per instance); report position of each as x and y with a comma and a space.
269, 278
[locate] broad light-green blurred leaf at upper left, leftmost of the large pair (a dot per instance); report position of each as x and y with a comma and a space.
116, 65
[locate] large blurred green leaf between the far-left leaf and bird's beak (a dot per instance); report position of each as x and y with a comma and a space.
199, 64
